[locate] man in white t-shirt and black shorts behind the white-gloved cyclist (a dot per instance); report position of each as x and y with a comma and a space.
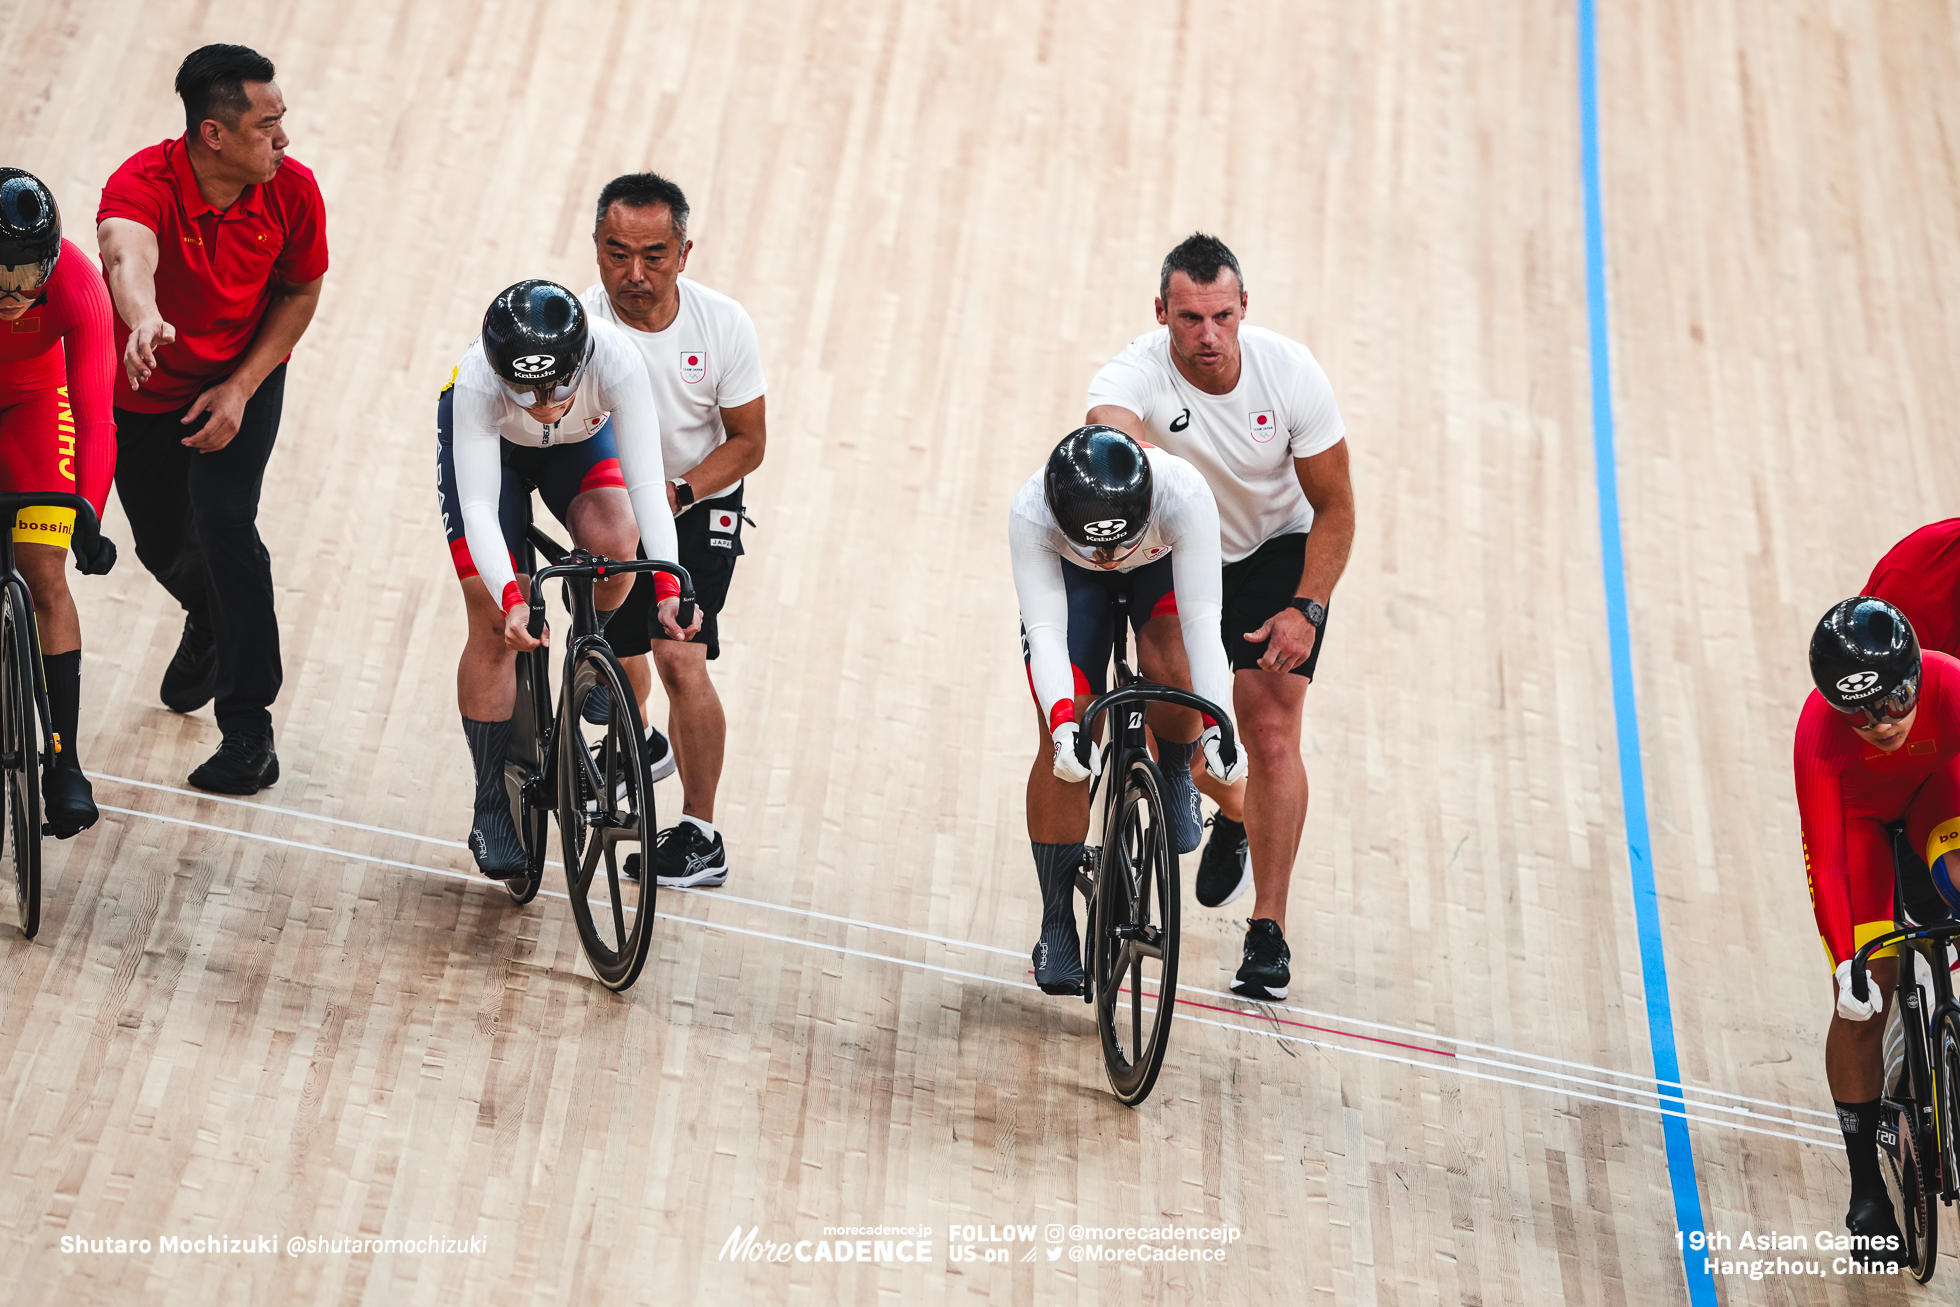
1257, 416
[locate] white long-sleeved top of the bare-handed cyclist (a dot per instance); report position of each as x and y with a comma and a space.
485, 414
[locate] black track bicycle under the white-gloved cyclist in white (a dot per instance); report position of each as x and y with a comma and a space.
1130, 877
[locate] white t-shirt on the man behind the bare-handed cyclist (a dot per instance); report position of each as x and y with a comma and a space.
703, 363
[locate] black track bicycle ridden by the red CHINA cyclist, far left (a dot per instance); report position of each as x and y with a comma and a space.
26, 724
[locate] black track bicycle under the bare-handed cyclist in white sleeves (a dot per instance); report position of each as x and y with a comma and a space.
599, 789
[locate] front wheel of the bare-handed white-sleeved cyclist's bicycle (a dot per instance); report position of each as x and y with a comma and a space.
607, 814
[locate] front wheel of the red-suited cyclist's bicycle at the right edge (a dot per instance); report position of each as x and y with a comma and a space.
1904, 1141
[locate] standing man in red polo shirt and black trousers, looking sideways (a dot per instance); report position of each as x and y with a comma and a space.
215, 248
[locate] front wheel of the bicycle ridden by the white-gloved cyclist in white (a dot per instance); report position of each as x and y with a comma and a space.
1138, 936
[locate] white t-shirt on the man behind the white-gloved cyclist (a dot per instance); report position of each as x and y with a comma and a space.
1234, 438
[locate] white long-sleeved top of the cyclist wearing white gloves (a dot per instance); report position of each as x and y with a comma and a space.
1185, 524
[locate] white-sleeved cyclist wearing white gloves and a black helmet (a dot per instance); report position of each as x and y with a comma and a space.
1108, 516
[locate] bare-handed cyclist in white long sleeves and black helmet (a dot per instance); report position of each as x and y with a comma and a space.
548, 401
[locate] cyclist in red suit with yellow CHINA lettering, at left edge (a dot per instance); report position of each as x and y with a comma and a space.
58, 432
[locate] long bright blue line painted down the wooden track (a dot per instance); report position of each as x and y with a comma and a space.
1626, 720
